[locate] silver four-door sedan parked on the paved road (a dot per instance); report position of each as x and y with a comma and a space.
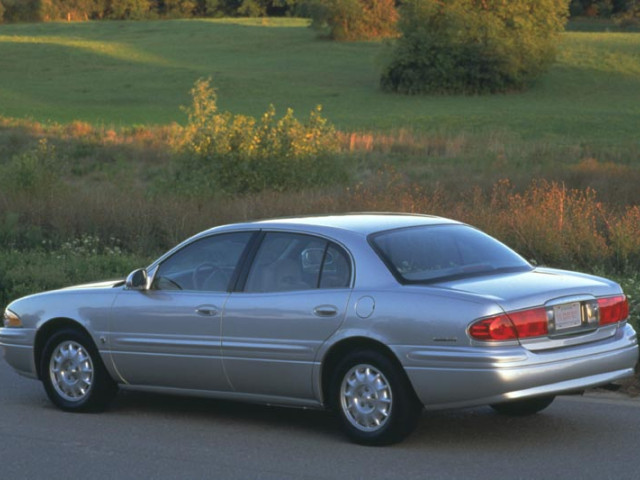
373, 316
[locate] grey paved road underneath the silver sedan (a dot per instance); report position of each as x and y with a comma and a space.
150, 436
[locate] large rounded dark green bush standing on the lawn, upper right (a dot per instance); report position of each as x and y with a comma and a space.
473, 46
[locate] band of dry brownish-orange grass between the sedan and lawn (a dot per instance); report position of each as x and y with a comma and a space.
570, 206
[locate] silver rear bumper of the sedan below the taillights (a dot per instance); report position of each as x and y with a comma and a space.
469, 376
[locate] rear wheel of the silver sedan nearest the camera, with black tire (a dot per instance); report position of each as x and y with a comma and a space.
384, 399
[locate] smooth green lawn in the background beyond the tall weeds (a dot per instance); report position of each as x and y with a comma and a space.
128, 73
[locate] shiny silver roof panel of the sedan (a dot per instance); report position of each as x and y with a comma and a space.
362, 223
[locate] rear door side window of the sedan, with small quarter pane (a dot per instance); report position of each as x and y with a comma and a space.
289, 261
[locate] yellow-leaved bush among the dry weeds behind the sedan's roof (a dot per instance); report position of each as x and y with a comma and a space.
239, 154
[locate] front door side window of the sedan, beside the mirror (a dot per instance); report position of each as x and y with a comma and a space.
207, 264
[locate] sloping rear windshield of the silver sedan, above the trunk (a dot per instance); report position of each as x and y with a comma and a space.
440, 252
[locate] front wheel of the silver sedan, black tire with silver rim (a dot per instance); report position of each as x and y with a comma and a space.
73, 374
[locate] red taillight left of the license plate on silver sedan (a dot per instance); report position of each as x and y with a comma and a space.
511, 326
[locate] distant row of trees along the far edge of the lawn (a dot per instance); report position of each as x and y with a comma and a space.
75, 10
